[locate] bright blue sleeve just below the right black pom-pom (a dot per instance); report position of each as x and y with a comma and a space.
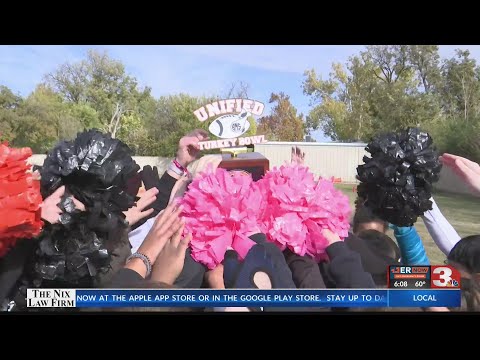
411, 246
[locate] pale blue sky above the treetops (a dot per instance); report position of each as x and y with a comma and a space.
196, 70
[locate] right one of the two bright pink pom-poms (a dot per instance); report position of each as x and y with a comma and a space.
296, 209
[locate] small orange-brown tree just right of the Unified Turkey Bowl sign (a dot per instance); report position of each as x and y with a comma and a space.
283, 123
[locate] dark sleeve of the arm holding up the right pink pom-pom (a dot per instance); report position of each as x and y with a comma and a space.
346, 269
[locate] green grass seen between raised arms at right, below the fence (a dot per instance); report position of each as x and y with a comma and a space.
463, 212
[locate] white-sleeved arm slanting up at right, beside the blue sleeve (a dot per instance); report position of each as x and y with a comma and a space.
441, 231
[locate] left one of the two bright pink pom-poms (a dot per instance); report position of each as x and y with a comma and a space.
220, 209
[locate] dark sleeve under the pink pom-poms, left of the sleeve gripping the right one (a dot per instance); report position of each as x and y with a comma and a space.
305, 271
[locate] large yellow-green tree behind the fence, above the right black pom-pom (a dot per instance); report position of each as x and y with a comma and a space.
377, 91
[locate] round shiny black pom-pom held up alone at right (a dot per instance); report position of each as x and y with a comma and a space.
396, 181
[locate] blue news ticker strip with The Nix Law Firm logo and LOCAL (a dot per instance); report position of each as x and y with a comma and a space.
101, 298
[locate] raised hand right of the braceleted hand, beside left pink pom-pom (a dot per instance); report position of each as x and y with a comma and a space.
170, 261
